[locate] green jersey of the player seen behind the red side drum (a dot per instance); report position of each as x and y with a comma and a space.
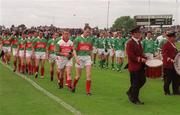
149, 45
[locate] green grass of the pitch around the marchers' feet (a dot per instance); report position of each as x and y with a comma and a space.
18, 97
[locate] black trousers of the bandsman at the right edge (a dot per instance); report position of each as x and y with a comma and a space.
170, 76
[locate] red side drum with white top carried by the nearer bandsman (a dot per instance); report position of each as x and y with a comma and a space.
154, 68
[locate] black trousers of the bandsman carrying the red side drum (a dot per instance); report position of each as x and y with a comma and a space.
137, 80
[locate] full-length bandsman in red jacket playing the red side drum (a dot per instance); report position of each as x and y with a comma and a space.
136, 61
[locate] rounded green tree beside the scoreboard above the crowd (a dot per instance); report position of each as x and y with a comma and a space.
124, 23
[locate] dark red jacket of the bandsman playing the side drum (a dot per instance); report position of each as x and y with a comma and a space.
135, 54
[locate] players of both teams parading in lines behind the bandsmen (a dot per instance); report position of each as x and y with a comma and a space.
30, 51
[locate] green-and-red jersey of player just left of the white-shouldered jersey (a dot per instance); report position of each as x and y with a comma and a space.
51, 45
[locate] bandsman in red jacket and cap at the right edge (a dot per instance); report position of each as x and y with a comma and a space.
169, 52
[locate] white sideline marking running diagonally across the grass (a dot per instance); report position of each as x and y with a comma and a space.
50, 95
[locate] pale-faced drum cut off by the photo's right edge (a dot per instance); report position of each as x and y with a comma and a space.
177, 63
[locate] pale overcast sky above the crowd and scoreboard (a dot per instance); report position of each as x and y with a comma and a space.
75, 13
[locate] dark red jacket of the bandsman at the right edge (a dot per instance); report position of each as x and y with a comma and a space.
168, 52
